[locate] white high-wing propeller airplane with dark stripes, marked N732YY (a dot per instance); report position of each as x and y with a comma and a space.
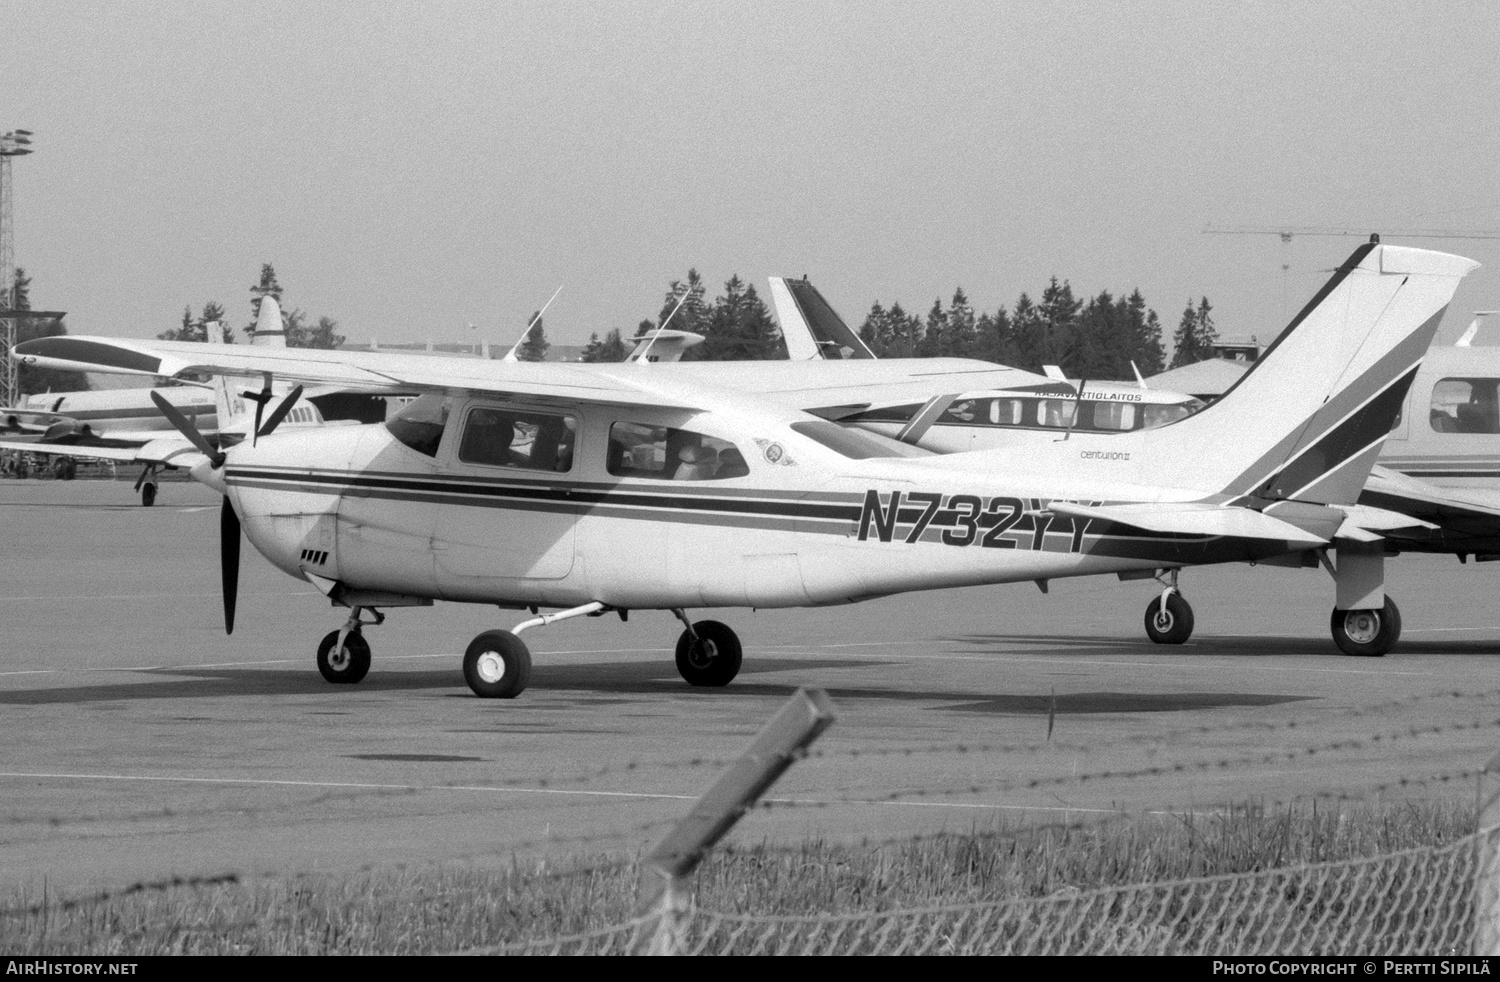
629, 488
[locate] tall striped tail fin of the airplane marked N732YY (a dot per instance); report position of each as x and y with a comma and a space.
1307, 422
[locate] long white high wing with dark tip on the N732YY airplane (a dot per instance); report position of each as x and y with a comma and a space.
371, 371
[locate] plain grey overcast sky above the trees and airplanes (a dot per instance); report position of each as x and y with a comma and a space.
413, 169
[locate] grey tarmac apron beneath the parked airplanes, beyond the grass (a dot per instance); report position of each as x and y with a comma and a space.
142, 744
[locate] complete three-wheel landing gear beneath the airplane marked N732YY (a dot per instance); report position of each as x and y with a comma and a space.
497, 665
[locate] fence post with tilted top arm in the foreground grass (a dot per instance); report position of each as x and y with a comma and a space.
793, 729
